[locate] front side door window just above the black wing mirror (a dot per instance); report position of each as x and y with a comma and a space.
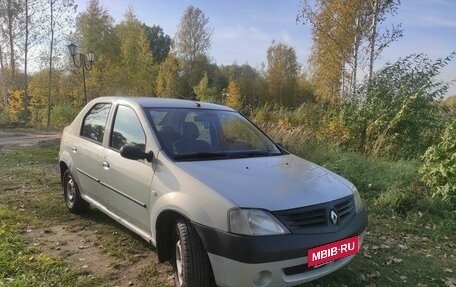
127, 129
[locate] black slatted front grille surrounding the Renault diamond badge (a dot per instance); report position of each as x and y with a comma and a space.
316, 218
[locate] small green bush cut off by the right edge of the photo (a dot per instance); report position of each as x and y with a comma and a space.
439, 168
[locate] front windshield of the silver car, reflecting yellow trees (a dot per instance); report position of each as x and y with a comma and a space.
199, 134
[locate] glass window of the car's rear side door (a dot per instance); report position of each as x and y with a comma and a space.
94, 123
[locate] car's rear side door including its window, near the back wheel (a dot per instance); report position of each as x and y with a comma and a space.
87, 150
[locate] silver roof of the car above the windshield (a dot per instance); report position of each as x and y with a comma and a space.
152, 102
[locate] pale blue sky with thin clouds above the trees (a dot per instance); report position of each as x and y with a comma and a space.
243, 30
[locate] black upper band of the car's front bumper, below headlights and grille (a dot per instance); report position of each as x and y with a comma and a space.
262, 249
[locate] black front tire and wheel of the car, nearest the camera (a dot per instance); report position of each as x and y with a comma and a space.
190, 262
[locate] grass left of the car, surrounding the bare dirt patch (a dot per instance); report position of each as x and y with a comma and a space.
30, 197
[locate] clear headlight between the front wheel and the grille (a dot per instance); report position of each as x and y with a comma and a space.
254, 222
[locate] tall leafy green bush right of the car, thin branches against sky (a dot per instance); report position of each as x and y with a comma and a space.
396, 114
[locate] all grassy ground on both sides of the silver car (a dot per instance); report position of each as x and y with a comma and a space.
411, 239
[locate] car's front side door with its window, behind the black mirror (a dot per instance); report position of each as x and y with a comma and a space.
127, 182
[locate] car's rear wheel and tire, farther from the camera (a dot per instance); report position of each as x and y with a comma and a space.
71, 195
